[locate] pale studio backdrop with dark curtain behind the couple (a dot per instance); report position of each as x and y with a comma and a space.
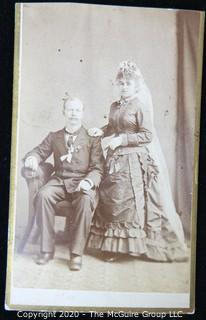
77, 49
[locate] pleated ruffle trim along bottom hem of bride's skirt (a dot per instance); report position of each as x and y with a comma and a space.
131, 240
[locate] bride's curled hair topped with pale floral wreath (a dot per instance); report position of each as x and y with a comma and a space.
128, 70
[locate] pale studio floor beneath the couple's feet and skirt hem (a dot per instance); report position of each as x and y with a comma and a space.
127, 275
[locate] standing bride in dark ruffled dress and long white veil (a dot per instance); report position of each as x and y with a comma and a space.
136, 213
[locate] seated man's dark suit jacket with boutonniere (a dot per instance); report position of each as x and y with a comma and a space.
87, 159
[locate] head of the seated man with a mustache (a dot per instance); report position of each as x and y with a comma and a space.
73, 112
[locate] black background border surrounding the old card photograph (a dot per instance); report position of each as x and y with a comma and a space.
7, 11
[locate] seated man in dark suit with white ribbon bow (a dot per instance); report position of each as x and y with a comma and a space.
78, 164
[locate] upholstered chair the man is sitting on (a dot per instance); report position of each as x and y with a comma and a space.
35, 180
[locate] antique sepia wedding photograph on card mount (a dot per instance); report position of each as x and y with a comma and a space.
104, 159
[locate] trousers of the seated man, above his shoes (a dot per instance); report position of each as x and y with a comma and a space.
83, 204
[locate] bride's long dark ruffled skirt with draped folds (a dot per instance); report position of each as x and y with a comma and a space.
130, 218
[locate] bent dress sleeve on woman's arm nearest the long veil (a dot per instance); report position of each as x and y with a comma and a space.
144, 130
